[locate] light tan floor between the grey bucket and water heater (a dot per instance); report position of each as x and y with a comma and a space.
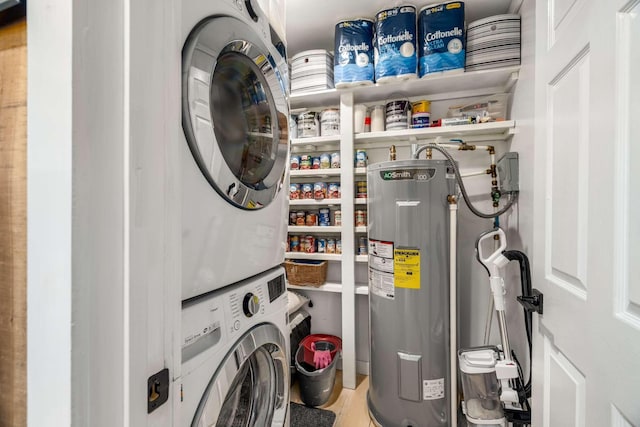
350, 406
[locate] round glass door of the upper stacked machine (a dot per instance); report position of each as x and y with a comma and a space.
235, 110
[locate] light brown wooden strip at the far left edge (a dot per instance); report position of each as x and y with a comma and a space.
13, 224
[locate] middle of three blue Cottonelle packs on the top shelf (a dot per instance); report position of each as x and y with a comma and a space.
395, 47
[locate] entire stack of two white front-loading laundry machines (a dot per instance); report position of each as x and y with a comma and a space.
235, 337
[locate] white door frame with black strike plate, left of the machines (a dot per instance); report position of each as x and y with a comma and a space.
103, 209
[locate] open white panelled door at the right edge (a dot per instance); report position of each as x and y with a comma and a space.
586, 363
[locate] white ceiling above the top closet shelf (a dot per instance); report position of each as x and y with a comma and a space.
310, 24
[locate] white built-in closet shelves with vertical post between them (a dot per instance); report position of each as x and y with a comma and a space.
434, 88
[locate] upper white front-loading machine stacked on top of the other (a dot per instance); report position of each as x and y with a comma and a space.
235, 144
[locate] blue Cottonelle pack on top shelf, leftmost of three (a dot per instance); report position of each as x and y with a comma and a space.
353, 59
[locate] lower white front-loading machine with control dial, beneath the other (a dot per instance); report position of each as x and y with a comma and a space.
235, 347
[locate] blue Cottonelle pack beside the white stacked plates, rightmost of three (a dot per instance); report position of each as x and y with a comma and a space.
441, 38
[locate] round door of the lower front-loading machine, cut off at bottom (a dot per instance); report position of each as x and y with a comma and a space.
251, 387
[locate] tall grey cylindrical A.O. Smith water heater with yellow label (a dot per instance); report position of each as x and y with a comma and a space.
409, 292
